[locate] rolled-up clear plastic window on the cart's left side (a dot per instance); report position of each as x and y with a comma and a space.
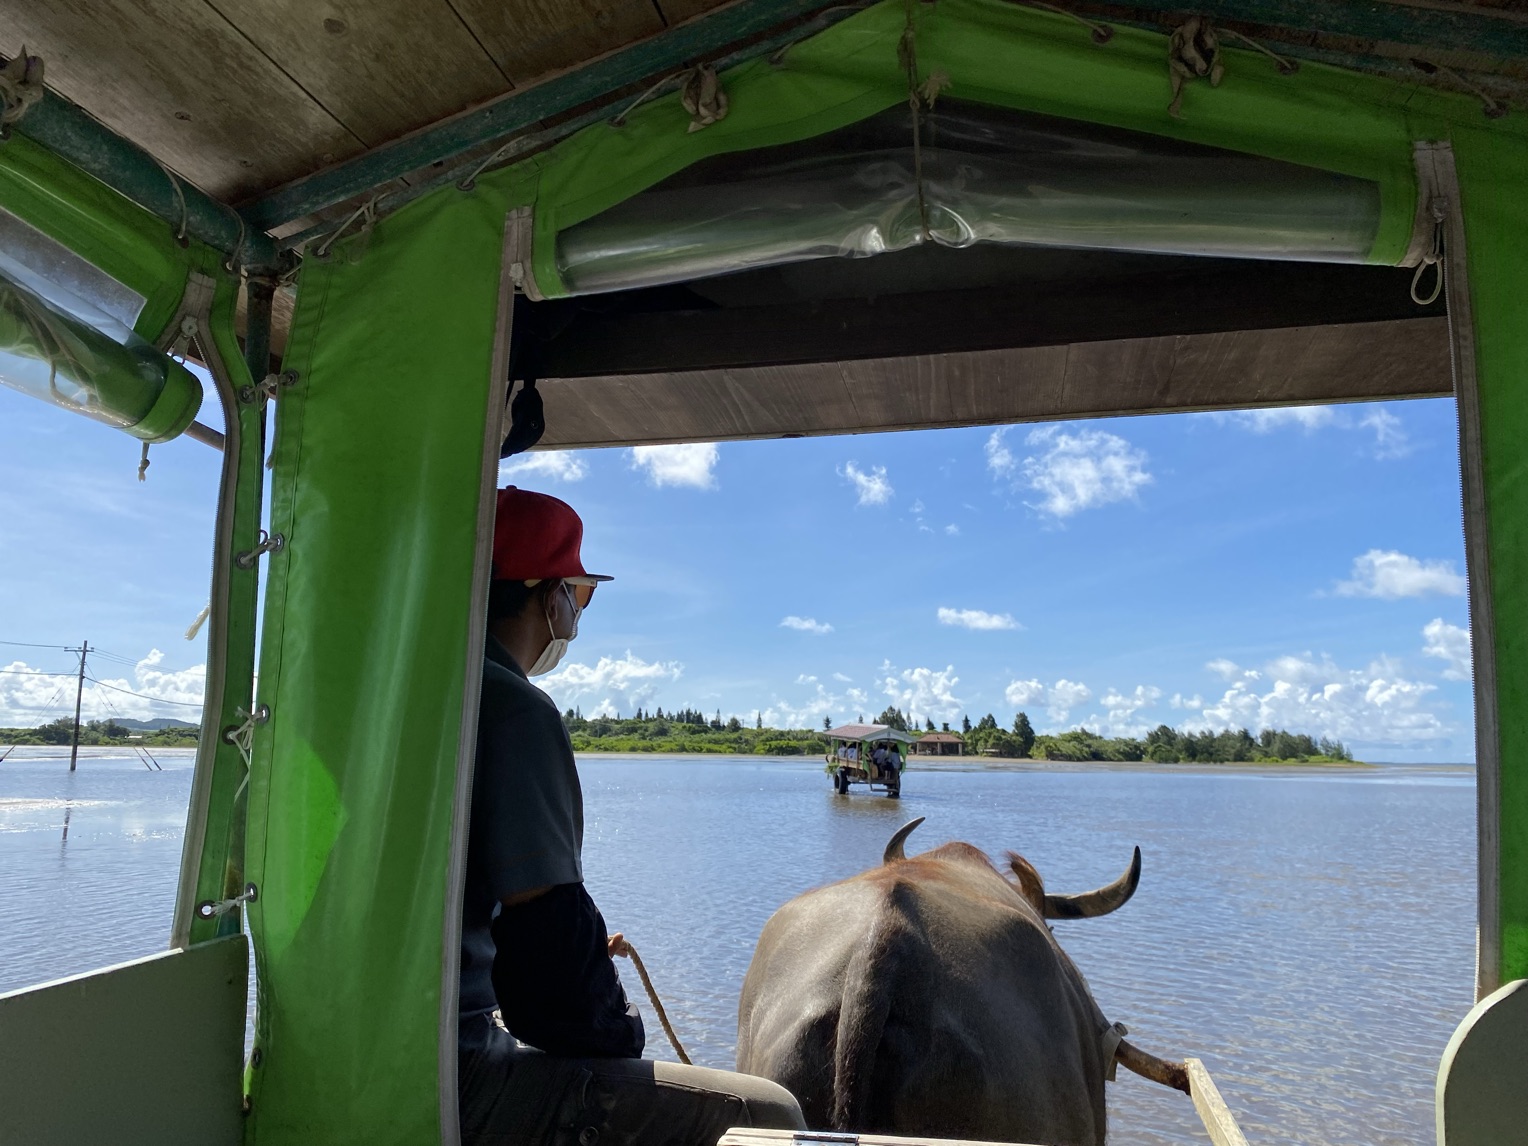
129, 384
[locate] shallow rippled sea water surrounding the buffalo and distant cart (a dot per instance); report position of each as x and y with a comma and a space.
1309, 934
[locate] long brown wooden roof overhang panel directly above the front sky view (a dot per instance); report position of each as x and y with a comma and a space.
1245, 369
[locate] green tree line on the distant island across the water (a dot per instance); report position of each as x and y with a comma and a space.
693, 731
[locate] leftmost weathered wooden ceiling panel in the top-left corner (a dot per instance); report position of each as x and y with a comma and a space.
184, 85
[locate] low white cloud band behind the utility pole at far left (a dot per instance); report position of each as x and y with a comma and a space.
31, 696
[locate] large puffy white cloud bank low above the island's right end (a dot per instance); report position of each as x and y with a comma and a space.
1374, 705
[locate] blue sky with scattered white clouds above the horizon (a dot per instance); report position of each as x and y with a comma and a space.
1300, 569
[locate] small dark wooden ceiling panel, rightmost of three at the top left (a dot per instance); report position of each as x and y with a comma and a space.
531, 39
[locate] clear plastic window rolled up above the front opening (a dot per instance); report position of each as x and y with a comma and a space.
979, 175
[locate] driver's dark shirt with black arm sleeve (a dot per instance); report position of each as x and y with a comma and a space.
543, 963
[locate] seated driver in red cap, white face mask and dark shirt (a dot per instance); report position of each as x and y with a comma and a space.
537, 962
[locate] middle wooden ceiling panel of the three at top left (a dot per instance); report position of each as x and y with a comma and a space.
380, 70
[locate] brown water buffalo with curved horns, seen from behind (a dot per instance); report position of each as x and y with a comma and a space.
928, 997
